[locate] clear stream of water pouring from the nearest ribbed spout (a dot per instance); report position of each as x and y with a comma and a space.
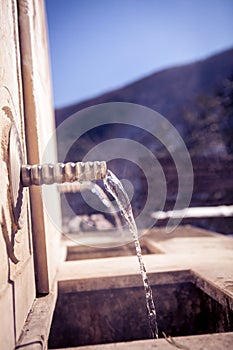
115, 188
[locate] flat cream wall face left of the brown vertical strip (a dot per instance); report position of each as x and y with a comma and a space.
17, 284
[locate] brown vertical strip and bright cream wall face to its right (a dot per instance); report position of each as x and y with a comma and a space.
39, 128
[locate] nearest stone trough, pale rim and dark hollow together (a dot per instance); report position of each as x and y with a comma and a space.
101, 301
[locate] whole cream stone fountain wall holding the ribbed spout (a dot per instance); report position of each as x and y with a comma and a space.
28, 255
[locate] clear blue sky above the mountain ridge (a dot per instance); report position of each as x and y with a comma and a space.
98, 45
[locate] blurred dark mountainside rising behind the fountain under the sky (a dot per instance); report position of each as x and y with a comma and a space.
197, 99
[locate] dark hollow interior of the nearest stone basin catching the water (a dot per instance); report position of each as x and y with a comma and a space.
186, 305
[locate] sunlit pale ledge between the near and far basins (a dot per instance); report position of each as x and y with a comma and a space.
209, 255
